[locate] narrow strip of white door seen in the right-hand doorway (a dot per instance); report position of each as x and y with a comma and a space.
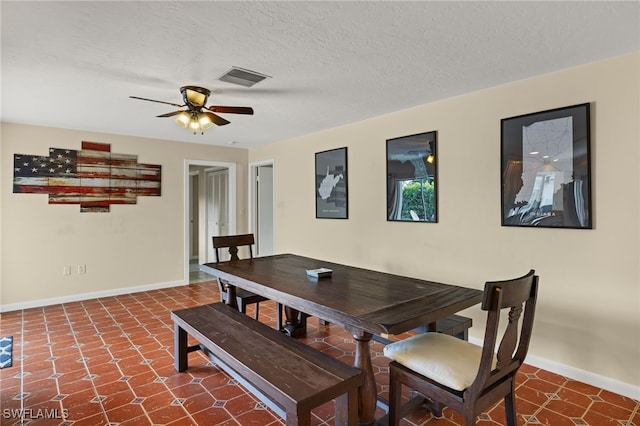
264, 213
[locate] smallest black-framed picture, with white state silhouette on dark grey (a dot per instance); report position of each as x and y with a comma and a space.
332, 184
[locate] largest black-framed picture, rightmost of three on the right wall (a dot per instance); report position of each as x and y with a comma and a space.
546, 169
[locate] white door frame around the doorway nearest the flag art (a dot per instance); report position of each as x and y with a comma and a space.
232, 188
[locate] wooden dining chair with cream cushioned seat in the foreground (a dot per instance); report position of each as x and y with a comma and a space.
468, 378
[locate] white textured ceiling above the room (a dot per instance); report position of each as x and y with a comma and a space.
75, 64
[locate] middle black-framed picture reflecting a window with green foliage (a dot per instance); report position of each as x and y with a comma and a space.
412, 178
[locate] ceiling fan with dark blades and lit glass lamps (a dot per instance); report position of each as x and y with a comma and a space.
198, 117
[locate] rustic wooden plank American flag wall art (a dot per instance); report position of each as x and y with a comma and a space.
93, 177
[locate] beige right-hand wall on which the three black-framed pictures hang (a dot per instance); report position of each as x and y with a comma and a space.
588, 318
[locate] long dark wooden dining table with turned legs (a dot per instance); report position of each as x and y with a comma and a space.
363, 301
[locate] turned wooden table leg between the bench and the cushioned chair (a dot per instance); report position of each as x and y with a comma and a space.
368, 393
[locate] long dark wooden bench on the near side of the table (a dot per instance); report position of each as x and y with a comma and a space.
294, 376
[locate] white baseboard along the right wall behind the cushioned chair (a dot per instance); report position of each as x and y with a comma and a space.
603, 382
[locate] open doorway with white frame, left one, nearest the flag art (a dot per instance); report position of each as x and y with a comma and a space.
210, 208
